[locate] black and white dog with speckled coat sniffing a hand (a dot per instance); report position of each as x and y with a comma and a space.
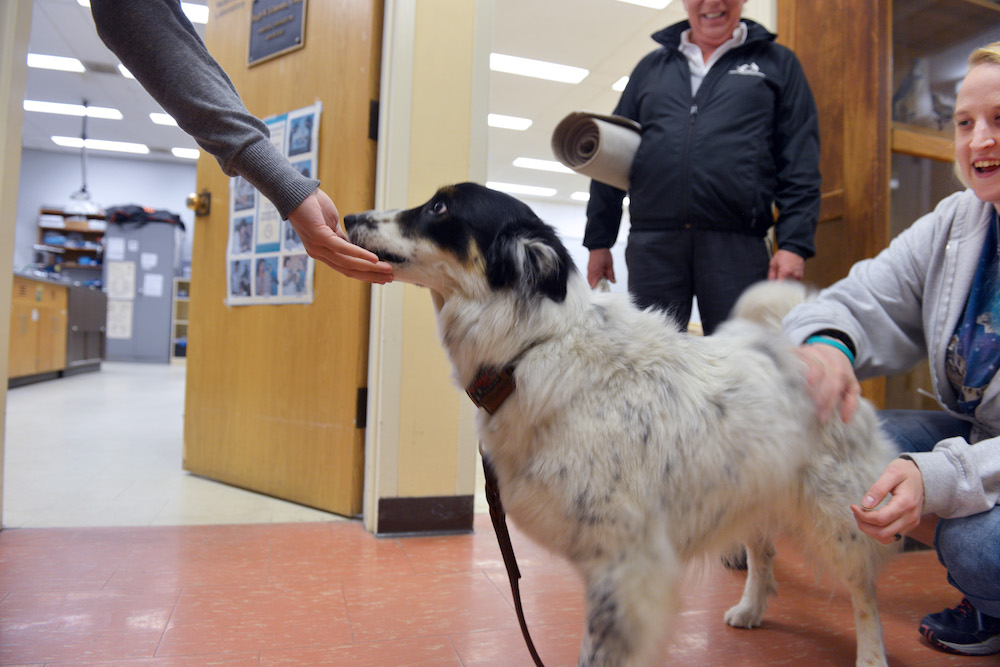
627, 446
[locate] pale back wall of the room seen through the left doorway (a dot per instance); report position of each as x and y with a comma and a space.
49, 178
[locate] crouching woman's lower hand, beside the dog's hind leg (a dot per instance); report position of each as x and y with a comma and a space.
901, 478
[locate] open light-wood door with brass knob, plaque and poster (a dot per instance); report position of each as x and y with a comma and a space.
272, 399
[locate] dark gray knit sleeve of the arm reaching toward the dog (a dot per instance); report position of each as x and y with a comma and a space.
158, 44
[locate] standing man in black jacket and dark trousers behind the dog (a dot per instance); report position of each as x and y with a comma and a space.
729, 132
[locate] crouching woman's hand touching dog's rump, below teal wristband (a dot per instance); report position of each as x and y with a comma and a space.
830, 381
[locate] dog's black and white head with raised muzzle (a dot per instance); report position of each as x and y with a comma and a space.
468, 238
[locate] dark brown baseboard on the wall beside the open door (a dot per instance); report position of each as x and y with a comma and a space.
420, 516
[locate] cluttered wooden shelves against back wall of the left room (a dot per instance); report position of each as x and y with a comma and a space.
71, 241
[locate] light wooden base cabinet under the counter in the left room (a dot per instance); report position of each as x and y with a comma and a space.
37, 328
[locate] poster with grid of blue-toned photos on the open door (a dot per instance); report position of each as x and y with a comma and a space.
266, 262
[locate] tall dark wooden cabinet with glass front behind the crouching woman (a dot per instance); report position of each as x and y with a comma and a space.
884, 74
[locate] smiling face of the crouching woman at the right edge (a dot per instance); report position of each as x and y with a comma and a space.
977, 131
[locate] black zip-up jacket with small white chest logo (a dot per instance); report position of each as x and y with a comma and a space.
719, 160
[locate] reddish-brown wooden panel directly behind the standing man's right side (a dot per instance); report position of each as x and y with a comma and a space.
844, 48
